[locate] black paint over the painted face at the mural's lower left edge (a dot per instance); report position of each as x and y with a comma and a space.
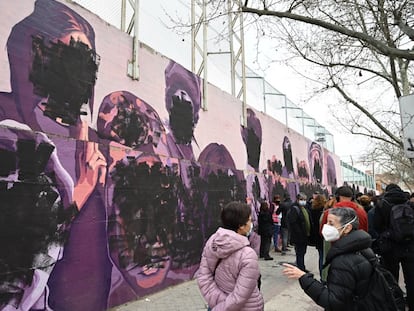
32, 215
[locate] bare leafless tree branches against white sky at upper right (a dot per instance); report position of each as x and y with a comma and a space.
350, 43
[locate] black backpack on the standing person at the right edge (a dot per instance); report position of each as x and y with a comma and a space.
402, 222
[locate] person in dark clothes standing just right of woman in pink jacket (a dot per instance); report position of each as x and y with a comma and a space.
265, 230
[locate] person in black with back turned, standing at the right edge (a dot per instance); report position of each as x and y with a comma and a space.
397, 253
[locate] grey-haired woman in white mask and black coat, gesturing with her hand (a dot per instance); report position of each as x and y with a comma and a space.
349, 269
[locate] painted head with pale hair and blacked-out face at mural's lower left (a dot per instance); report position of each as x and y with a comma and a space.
34, 222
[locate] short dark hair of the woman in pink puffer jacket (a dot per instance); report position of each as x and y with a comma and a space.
234, 215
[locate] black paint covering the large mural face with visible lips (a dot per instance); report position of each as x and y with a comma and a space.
146, 199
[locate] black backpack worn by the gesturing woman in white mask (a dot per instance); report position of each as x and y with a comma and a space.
382, 293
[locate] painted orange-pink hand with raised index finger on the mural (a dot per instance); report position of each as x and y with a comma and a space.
91, 165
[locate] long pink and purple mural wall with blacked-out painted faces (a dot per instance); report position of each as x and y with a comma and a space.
109, 187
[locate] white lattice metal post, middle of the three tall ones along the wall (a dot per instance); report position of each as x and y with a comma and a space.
198, 51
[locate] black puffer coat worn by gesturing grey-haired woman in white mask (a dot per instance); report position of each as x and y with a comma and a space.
349, 271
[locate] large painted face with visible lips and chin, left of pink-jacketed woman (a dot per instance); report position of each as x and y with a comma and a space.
142, 234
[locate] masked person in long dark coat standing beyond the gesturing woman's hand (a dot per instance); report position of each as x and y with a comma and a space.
300, 227
